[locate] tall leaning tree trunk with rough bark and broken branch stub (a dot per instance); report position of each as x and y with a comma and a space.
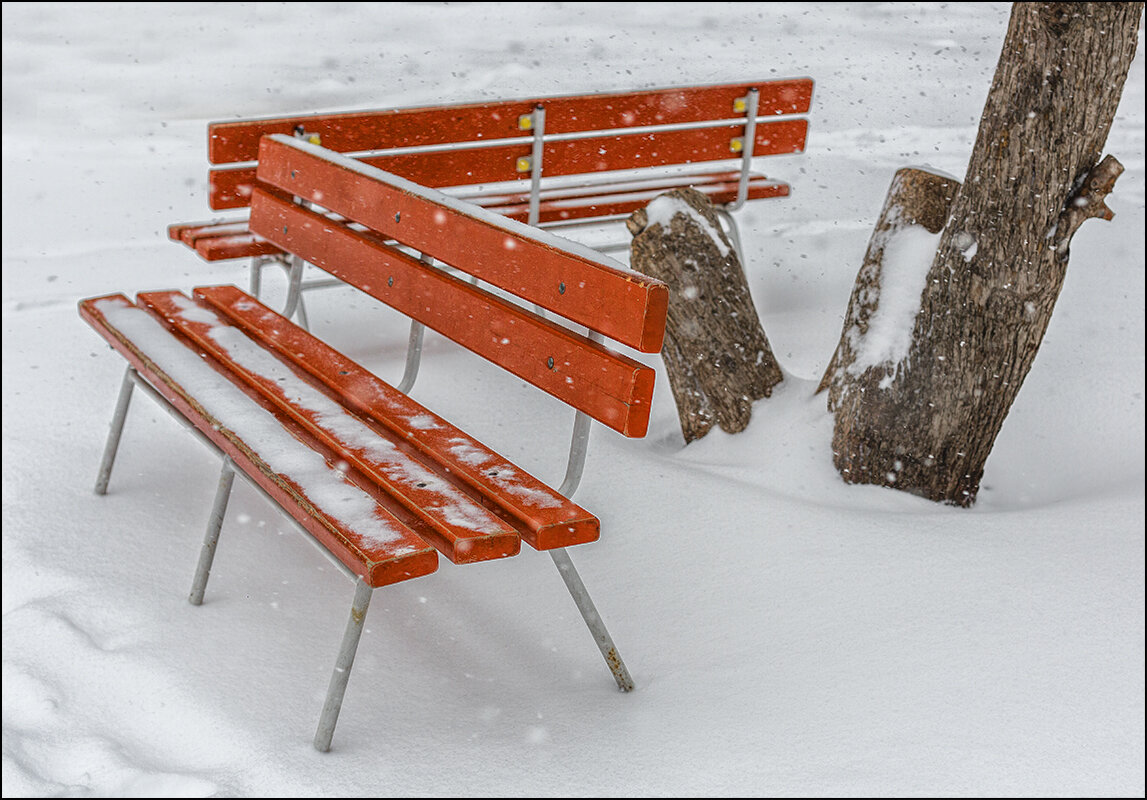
927, 424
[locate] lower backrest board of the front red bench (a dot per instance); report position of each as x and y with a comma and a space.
612, 389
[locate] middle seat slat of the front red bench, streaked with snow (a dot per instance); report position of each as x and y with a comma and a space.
456, 524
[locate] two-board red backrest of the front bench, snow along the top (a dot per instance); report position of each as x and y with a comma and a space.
571, 281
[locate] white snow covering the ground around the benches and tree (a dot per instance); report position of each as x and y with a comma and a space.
789, 634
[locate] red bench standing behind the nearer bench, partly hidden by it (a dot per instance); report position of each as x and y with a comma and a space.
549, 162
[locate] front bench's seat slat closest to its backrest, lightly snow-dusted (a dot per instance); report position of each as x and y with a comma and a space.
545, 518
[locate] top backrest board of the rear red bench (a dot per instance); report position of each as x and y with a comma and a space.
238, 142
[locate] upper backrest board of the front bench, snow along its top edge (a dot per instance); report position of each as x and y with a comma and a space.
556, 274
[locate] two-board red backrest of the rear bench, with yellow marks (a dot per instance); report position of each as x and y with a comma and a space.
466, 145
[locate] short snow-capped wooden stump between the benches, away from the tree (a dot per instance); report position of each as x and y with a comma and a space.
716, 353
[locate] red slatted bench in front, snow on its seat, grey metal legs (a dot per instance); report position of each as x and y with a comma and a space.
380, 483
